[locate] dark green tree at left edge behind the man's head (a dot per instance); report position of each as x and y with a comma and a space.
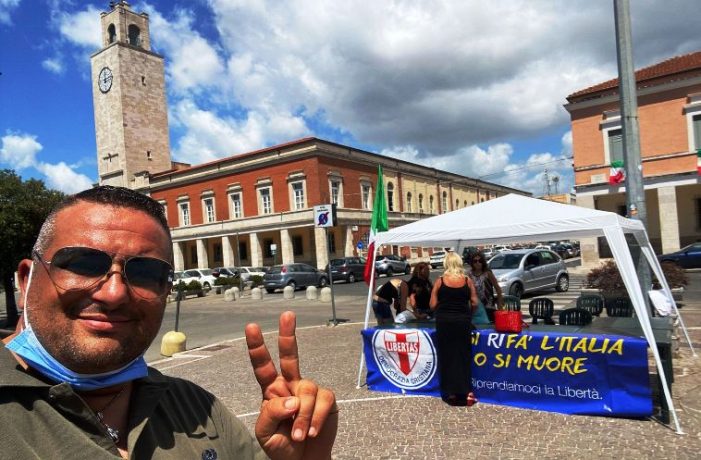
23, 208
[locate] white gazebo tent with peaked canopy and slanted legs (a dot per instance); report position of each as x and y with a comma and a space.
516, 218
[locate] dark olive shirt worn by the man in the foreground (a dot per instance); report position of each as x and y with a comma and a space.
168, 418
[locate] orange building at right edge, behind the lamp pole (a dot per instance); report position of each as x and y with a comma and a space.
669, 114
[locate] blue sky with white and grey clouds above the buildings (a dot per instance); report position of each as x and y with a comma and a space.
471, 87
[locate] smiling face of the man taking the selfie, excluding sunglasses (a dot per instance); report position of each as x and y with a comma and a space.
106, 326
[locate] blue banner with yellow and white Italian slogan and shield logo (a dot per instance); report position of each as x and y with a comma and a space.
570, 373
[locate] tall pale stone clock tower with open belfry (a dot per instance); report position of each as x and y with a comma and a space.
131, 117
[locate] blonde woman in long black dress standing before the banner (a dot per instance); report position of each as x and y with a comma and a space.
453, 298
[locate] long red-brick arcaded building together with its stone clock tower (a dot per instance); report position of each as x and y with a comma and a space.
234, 211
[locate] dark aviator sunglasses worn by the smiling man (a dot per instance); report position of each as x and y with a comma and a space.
79, 268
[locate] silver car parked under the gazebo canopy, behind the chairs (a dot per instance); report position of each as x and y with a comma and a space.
527, 270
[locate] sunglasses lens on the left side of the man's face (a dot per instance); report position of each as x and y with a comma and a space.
75, 268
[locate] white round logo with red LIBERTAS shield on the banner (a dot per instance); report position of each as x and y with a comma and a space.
406, 357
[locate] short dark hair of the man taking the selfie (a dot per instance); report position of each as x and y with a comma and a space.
108, 195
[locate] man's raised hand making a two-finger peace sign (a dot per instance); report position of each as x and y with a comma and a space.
297, 418
